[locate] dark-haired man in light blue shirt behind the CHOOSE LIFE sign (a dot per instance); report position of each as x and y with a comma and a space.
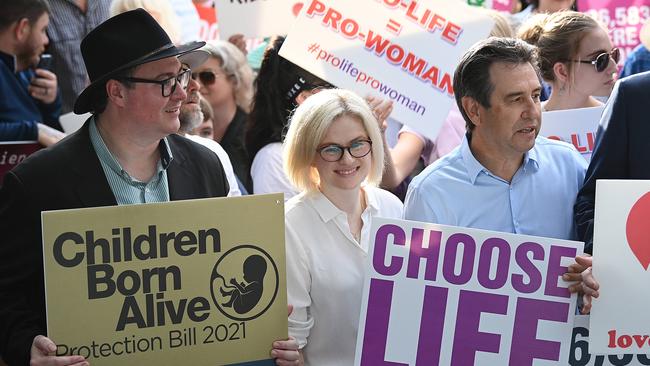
503, 177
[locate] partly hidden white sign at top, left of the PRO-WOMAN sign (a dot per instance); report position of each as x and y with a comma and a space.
256, 18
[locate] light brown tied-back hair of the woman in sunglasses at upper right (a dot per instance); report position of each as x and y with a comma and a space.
557, 37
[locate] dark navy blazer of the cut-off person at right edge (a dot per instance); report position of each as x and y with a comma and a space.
622, 148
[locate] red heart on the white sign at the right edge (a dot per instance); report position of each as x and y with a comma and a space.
638, 230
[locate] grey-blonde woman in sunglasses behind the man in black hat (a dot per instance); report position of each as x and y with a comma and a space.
227, 84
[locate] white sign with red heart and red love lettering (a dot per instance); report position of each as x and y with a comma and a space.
620, 322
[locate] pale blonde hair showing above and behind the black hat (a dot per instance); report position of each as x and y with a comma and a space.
160, 10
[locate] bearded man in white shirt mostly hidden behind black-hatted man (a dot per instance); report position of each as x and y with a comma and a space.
190, 117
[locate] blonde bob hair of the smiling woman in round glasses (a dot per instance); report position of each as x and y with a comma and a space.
308, 127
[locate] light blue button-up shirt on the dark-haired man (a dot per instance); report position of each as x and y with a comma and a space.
457, 190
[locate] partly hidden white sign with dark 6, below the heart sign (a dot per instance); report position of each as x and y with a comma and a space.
580, 356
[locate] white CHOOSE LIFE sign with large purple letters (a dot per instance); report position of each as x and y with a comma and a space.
475, 297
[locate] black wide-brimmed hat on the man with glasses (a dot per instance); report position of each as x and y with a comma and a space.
124, 41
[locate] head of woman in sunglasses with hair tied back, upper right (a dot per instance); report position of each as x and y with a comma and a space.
577, 58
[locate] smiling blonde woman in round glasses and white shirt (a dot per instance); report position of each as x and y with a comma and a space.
334, 153
